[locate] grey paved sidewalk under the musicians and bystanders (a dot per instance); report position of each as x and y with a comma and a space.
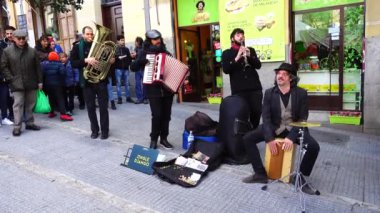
60, 169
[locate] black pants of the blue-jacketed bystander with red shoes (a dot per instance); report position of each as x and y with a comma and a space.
56, 100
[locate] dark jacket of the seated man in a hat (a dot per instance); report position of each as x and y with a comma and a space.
272, 111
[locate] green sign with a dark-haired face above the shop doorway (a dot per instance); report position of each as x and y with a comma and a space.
195, 12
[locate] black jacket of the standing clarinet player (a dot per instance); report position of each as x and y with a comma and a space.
242, 79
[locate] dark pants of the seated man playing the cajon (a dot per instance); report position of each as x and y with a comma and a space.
256, 136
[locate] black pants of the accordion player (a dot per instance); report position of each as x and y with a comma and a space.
161, 109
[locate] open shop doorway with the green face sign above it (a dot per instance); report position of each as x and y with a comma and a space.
198, 42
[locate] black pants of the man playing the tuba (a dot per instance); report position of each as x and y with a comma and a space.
91, 92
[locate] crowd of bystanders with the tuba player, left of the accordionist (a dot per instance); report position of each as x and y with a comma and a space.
60, 76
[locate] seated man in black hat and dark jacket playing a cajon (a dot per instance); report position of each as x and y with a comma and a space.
283, 104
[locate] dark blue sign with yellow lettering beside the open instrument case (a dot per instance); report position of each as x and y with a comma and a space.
142, 158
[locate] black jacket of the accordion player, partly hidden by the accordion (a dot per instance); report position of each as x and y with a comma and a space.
155, 89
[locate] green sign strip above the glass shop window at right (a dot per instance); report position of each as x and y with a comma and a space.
313, 4
